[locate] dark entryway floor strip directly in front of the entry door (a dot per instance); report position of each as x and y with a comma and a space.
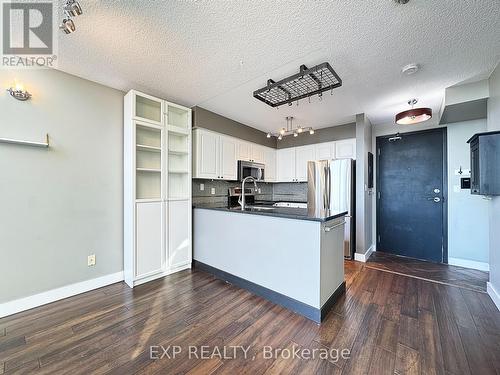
437, 272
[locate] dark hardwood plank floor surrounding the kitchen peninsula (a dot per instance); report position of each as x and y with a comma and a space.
391, 324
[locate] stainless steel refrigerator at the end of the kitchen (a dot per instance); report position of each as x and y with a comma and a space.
331, 186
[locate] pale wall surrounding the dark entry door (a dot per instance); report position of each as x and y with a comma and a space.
467, 242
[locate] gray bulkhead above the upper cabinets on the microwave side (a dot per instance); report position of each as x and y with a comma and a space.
203, 118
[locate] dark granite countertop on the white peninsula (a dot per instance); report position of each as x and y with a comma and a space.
284, 212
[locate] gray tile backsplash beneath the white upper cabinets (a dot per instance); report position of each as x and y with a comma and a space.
294, 191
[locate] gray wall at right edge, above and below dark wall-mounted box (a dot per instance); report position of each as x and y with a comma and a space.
494, 124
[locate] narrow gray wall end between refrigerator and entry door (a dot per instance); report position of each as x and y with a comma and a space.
364, 196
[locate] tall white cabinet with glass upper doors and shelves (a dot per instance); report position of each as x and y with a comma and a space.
157, 188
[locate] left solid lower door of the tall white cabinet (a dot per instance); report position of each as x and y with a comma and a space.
149, 239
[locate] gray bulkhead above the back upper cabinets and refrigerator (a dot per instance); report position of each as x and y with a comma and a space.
333, 133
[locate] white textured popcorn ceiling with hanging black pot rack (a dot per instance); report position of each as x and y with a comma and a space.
216, 53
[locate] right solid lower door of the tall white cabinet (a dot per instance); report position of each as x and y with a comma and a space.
179, 234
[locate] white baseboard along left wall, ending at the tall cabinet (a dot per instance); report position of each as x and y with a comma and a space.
26, 303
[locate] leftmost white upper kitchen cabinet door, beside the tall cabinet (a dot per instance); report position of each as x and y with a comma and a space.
206, 158
